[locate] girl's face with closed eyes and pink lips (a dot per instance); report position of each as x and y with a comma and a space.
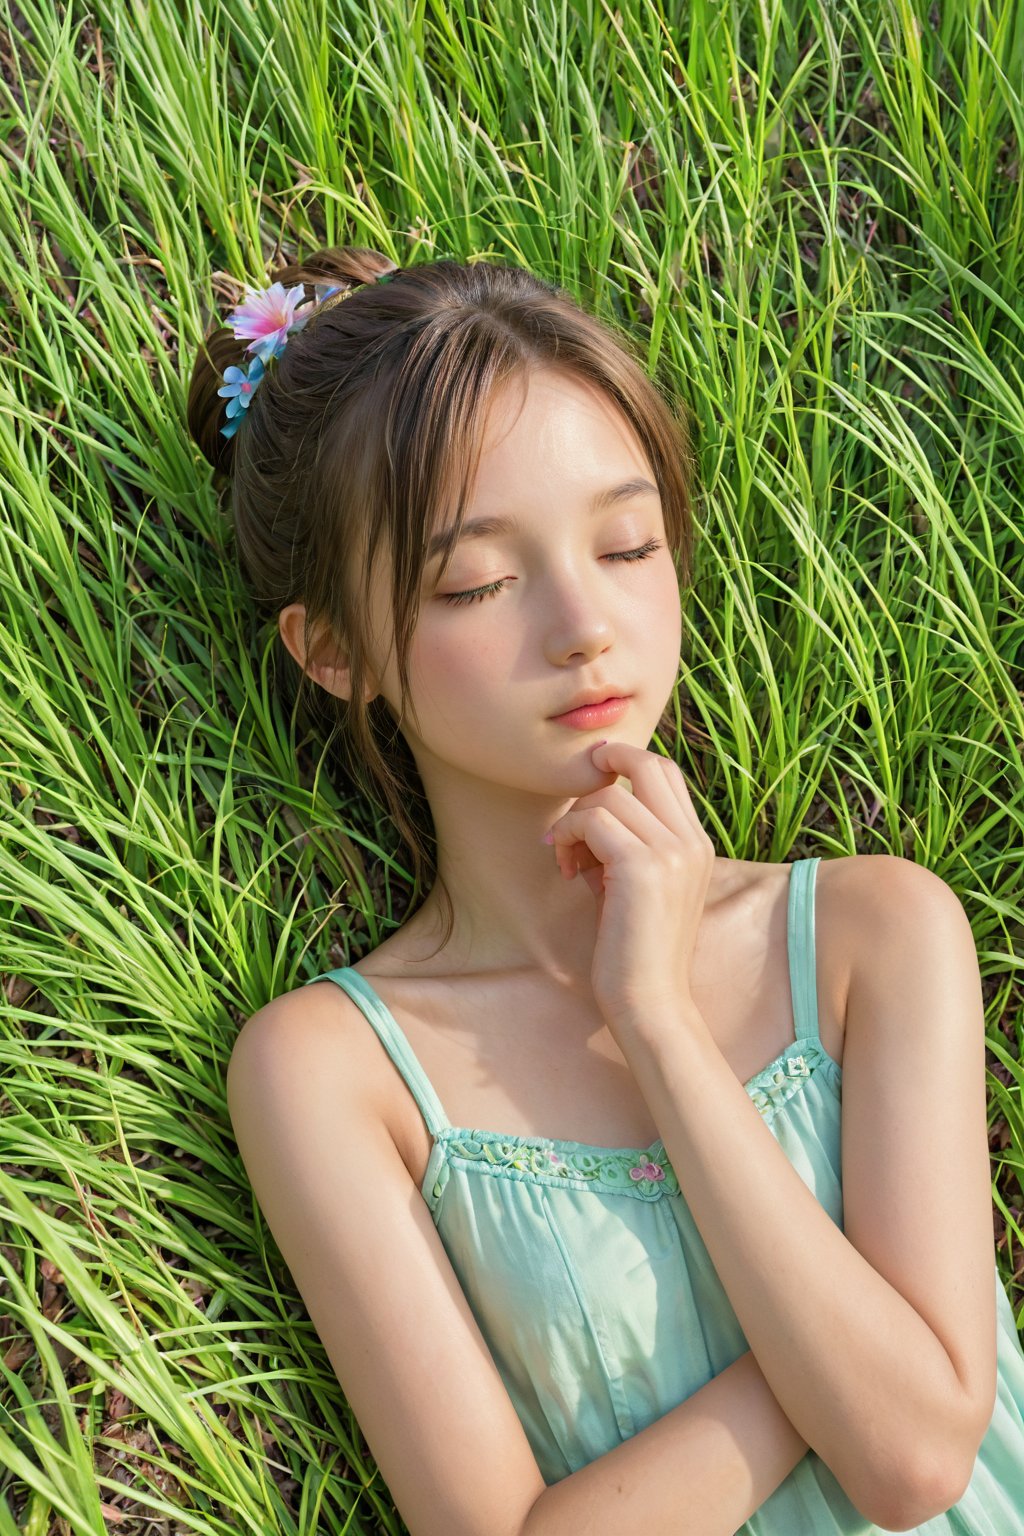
557, 612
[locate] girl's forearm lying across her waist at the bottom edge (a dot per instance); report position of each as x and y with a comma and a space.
701, 1471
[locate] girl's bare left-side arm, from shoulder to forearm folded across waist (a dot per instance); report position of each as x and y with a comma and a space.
405, 1345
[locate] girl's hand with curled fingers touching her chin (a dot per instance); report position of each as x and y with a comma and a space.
649, 862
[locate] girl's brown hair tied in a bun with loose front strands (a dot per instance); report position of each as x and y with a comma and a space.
360, 432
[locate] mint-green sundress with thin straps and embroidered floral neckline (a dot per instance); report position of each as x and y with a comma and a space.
596, 1296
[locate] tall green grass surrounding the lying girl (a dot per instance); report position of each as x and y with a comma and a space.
814, 219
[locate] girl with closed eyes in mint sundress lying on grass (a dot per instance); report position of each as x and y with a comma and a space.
601, 1177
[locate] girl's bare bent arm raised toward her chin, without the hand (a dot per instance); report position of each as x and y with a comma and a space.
879, 1340
